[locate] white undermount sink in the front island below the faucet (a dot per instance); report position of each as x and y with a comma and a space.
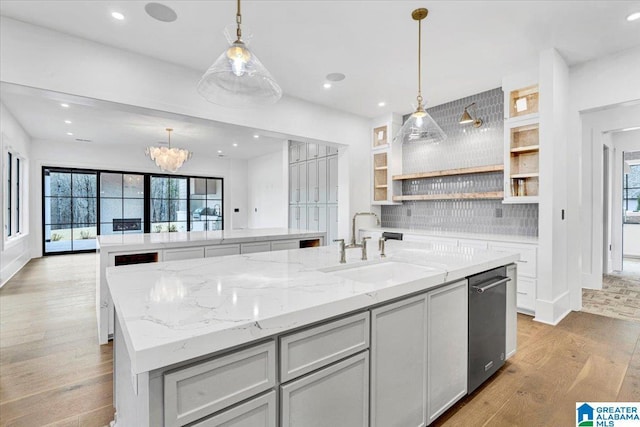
384, 272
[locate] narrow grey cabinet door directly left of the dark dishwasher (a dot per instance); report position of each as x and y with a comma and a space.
448, 347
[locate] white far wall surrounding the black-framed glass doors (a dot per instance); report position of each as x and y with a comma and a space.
97, 156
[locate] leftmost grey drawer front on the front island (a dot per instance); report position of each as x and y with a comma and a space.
199, 390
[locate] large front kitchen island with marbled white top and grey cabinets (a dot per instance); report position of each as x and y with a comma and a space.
292, 337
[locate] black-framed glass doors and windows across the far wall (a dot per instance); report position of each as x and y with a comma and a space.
80, 204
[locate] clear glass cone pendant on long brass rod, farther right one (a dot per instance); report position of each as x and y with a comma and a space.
420, 126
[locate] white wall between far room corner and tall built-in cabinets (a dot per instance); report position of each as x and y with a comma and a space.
268, 189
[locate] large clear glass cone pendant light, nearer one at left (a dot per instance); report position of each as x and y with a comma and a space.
238, 78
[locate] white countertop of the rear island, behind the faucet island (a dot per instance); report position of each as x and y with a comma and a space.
197, 238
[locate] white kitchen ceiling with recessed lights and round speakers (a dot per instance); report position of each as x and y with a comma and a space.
468, 46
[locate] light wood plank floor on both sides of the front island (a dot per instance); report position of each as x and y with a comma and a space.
52, 371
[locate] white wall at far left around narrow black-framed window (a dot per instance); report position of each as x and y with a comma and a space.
15, 252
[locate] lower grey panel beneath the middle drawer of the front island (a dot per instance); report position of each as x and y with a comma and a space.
336, 396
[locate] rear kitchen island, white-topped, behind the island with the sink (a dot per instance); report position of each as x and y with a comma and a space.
124, 249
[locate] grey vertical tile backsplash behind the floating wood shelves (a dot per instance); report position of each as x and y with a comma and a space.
465, 146
